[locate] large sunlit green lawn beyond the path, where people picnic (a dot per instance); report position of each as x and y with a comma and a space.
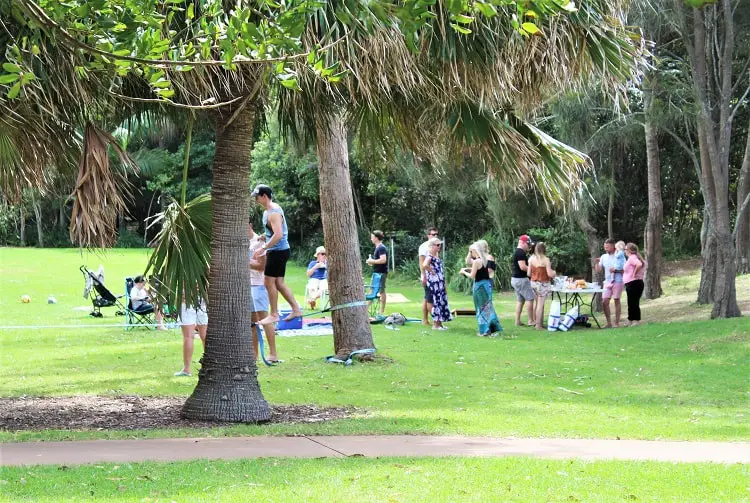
681, 381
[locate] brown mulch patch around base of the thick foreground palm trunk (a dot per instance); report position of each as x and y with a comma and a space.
131, 413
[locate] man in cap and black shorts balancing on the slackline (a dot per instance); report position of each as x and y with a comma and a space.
276, 251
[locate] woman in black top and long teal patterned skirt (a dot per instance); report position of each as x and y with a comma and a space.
482, 270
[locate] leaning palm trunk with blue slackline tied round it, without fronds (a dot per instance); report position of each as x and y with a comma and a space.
351, 326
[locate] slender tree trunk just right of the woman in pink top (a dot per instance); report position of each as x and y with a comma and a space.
652, 236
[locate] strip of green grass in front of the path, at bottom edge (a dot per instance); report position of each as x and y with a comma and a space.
383, 479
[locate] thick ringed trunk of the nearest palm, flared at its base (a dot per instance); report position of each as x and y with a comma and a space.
228, 388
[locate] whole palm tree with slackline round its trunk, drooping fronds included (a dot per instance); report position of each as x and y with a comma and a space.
457, 97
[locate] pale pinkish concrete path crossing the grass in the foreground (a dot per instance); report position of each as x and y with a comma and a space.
178, 449
